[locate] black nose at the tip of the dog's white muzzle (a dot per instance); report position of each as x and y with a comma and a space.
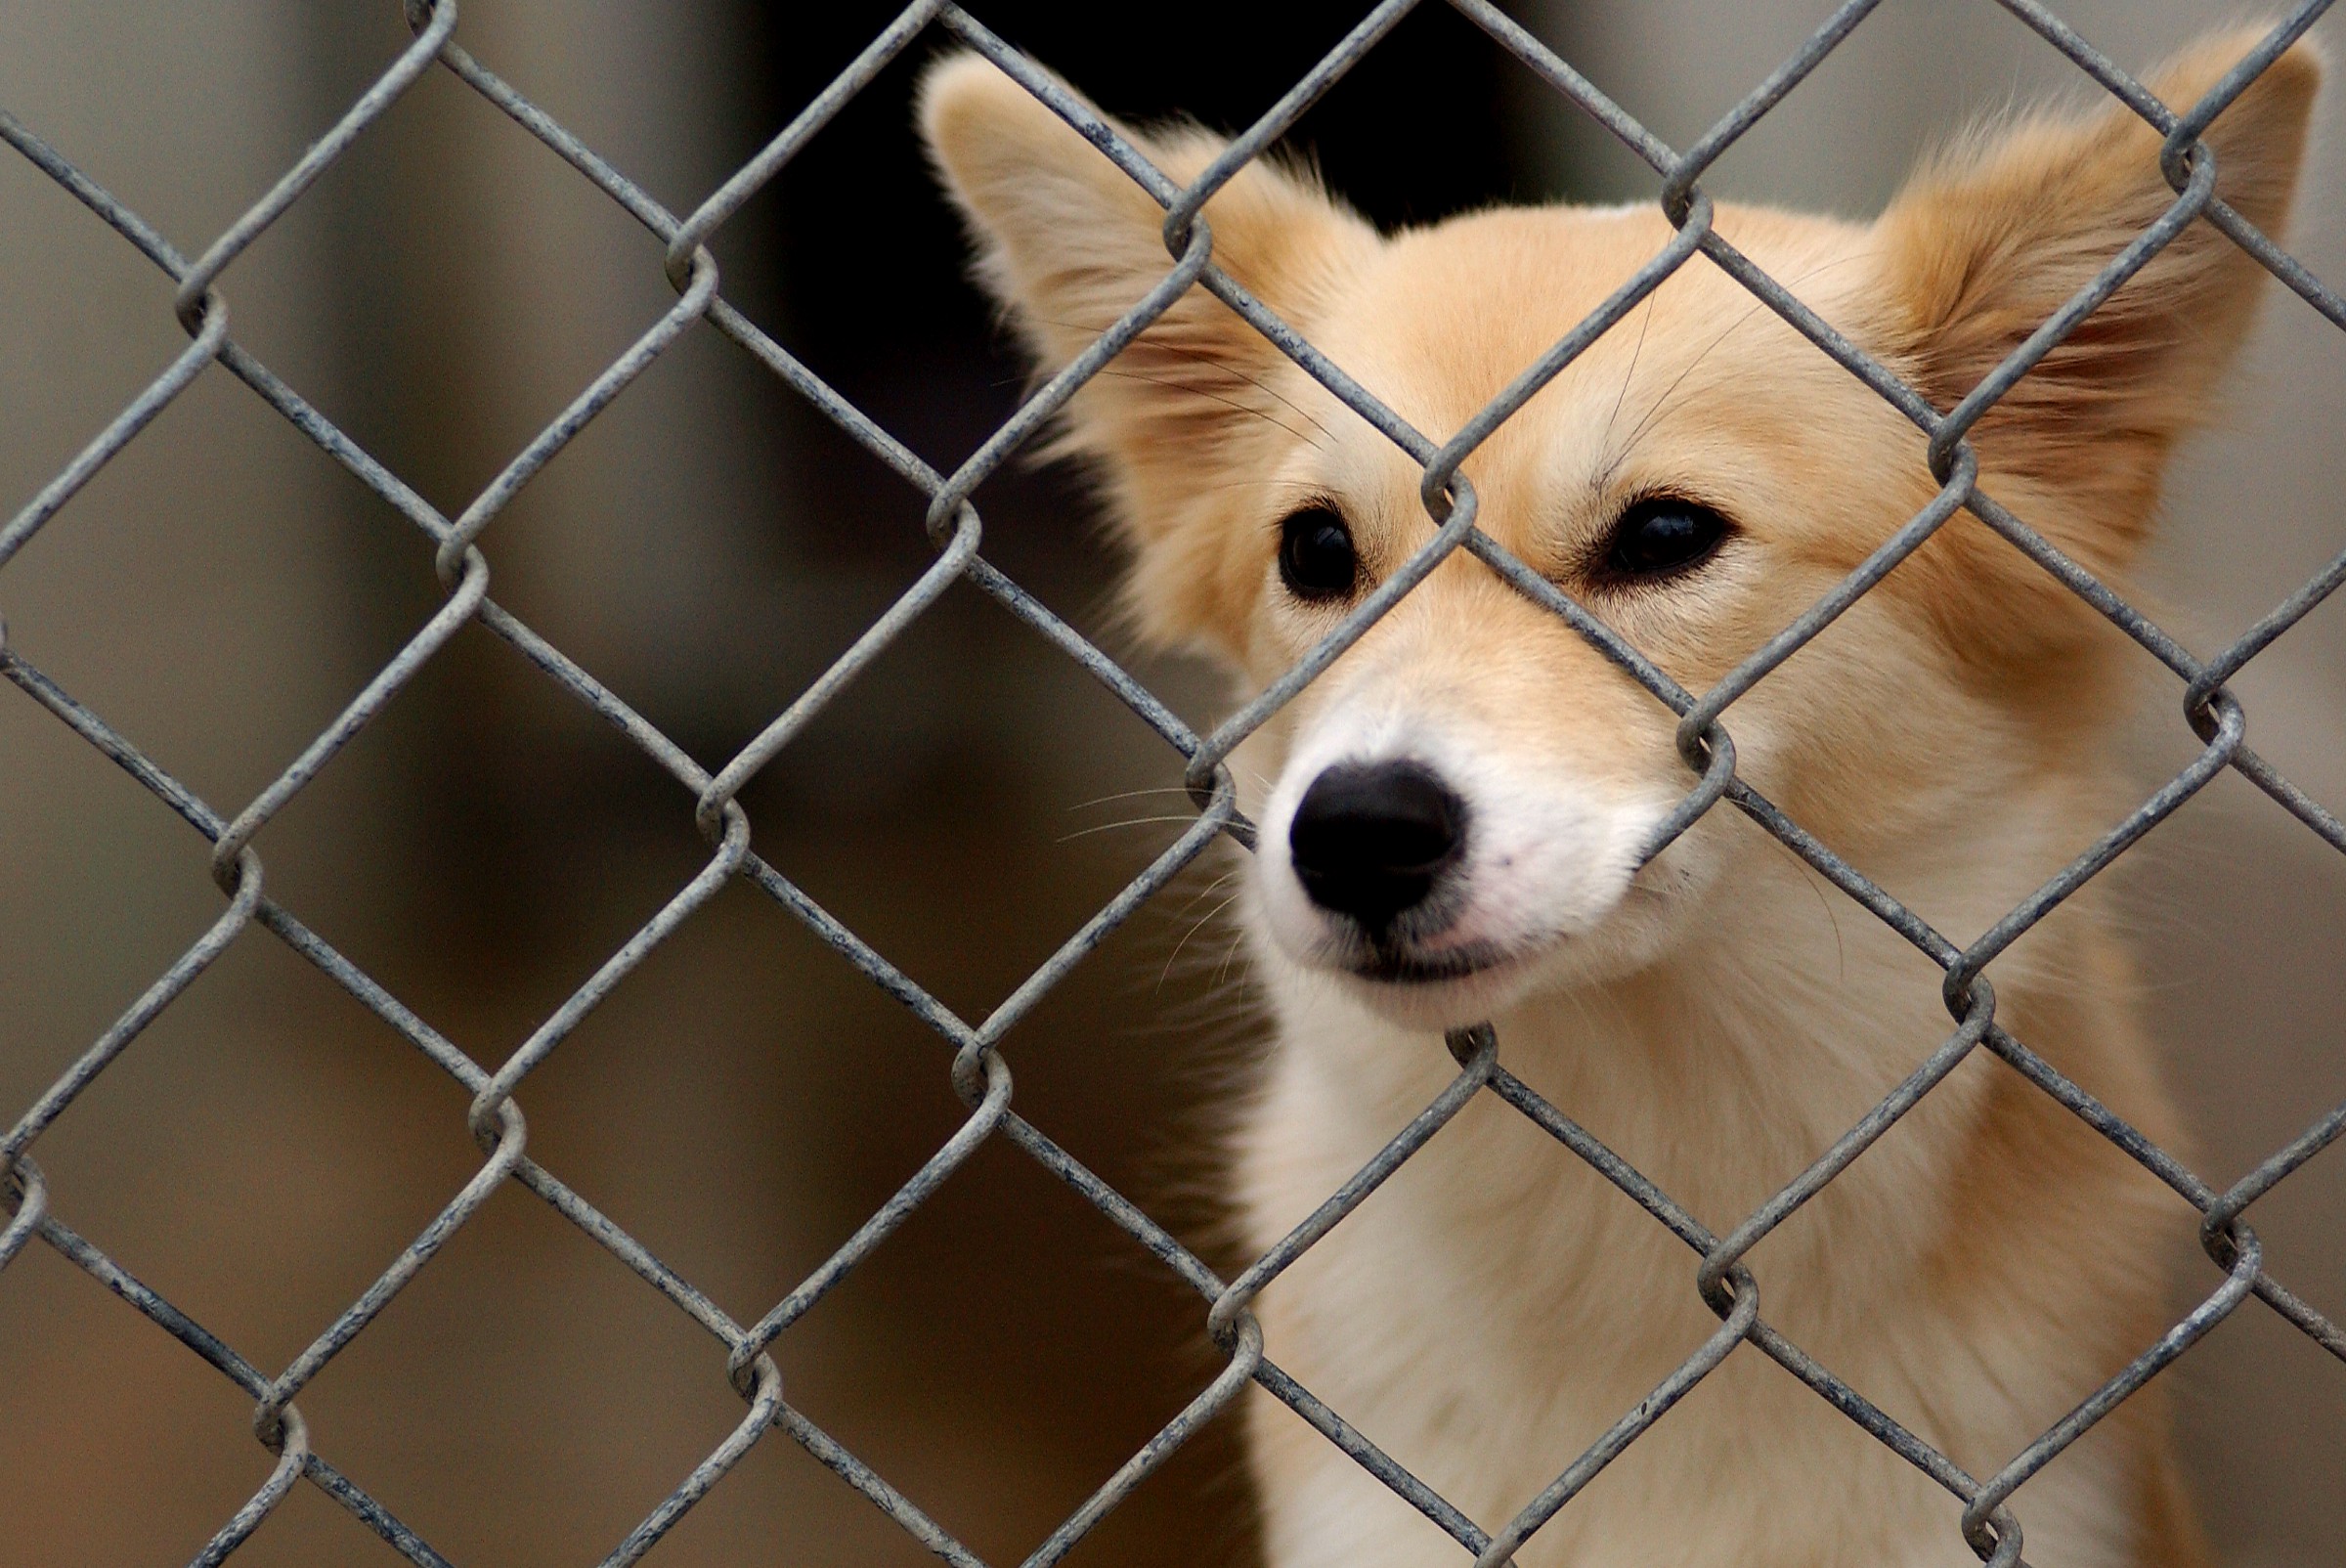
1369, 839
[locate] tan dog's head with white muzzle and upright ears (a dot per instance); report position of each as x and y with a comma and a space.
1460, 806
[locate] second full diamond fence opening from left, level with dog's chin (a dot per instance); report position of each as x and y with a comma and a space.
745, 1102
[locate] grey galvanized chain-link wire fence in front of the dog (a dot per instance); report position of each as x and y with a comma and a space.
979, 1069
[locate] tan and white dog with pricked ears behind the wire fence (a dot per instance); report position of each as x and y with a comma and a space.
1453, 818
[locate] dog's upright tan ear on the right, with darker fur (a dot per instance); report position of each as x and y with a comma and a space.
1993, 238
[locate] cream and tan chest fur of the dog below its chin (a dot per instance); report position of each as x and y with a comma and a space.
1498, 1304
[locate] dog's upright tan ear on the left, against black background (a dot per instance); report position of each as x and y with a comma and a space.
1069, 243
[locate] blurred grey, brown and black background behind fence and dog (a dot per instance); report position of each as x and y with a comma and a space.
707, 548
